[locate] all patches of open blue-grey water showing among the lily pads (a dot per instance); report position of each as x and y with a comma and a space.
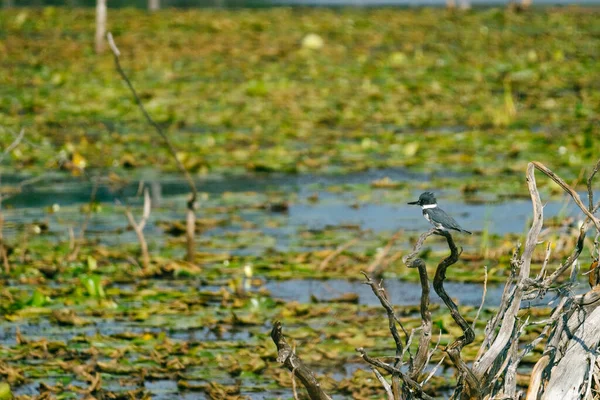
242, 202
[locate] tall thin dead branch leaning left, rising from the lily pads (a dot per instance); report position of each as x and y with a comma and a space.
191, 204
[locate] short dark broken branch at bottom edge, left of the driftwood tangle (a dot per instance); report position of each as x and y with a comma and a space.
287, 357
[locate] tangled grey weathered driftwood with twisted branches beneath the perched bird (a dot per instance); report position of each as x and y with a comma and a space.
568, 367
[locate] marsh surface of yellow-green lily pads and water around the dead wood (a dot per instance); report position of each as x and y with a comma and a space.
307, 130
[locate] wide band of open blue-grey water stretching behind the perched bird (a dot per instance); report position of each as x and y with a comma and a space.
333, 208
